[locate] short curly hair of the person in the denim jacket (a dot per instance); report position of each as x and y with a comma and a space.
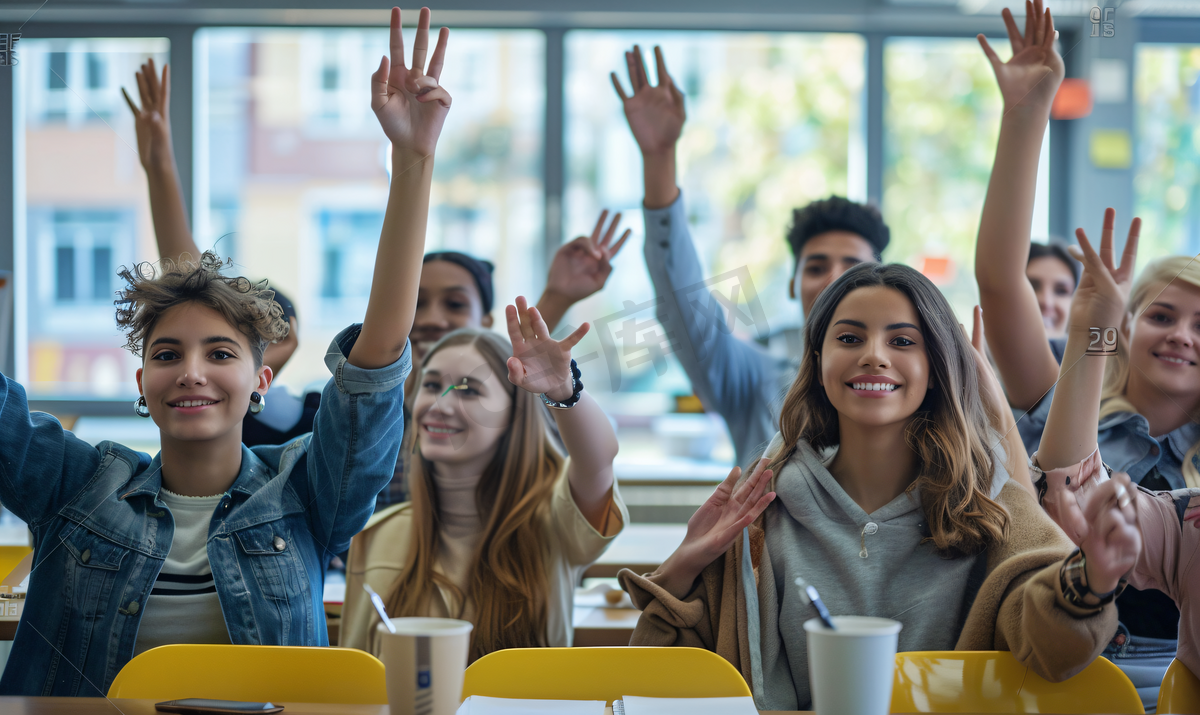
153, 290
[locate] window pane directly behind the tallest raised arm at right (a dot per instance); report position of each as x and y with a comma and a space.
940, 128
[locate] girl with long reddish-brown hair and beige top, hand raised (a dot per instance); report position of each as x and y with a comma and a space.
501, 526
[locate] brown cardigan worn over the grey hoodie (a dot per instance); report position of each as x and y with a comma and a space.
1019, 608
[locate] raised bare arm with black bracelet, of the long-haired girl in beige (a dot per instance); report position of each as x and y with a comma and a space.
543, 365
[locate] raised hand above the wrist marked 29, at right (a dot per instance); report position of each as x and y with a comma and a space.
1103, 289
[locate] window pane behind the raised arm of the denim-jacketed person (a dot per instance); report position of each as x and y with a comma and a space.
293, 167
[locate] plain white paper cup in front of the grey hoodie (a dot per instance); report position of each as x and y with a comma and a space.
851, 669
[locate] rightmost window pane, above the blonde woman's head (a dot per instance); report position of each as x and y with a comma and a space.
1167, 183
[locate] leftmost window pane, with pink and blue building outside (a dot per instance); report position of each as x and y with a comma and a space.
87, 212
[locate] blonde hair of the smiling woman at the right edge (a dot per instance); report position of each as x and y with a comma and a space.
1154, 279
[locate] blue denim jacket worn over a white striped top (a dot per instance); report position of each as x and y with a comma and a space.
101, 533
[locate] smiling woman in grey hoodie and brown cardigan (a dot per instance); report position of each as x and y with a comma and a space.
889, 490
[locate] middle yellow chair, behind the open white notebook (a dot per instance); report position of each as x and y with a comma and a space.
603, 674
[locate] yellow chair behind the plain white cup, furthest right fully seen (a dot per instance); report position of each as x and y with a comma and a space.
995, 682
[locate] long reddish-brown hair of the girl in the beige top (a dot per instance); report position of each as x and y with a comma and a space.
508, 585
